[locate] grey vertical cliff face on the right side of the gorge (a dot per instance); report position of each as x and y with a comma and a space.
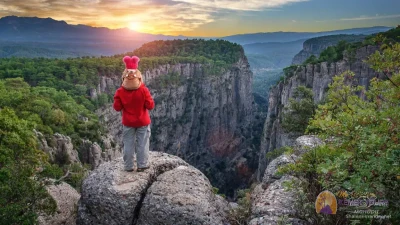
317, 77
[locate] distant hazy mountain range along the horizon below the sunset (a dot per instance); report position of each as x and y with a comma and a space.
48, 33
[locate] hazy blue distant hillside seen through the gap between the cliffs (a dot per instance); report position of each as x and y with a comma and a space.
268, 53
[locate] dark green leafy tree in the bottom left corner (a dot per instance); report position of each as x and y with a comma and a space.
22, 195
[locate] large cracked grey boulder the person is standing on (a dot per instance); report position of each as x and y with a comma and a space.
170, 192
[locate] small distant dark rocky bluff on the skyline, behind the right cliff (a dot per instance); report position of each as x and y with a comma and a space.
315, 46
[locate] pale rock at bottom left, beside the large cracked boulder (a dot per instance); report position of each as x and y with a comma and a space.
66, 198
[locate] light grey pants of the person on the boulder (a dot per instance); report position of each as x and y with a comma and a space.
136, 140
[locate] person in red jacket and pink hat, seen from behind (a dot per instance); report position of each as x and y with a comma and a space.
134, 100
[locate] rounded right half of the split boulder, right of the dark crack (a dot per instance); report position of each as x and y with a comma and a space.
181, 196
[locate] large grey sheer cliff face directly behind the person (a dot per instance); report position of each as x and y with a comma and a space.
204, 119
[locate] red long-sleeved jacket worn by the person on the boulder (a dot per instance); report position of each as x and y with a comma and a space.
134, 105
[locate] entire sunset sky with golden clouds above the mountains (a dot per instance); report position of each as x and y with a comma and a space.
212, 18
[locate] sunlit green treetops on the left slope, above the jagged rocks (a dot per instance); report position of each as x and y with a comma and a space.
49, 110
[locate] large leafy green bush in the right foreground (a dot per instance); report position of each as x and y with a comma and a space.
362, 126
